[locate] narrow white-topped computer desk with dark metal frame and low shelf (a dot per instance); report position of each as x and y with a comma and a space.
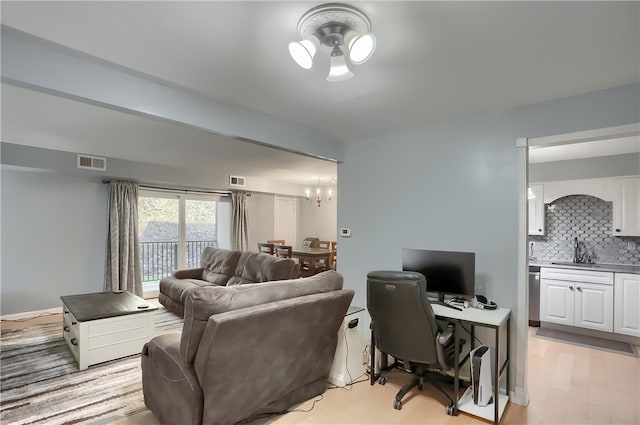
494, 319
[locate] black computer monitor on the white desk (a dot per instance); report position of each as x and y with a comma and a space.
447, 272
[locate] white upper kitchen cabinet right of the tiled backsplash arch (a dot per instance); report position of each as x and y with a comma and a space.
626, 207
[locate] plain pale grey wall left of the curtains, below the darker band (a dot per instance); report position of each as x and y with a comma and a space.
53, 238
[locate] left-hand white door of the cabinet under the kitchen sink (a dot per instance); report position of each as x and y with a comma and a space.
556, 301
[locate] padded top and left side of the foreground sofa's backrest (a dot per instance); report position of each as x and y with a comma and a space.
201, 303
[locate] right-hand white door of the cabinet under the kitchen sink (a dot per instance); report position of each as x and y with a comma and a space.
594, 306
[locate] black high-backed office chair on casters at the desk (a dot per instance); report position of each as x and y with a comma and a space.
404, 326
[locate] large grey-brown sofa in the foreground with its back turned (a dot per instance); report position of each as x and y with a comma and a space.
245, 350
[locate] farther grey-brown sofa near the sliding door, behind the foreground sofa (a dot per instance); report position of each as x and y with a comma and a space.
223, 267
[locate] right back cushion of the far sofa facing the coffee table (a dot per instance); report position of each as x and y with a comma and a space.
254, 267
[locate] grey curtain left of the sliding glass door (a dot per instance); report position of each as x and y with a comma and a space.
122, 268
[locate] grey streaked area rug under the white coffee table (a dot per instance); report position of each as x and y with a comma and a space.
41, 383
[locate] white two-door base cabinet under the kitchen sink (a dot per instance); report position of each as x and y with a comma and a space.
577, 298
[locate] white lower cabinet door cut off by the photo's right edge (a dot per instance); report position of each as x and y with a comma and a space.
627, 304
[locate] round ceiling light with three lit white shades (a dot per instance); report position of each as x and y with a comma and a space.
343, 30
